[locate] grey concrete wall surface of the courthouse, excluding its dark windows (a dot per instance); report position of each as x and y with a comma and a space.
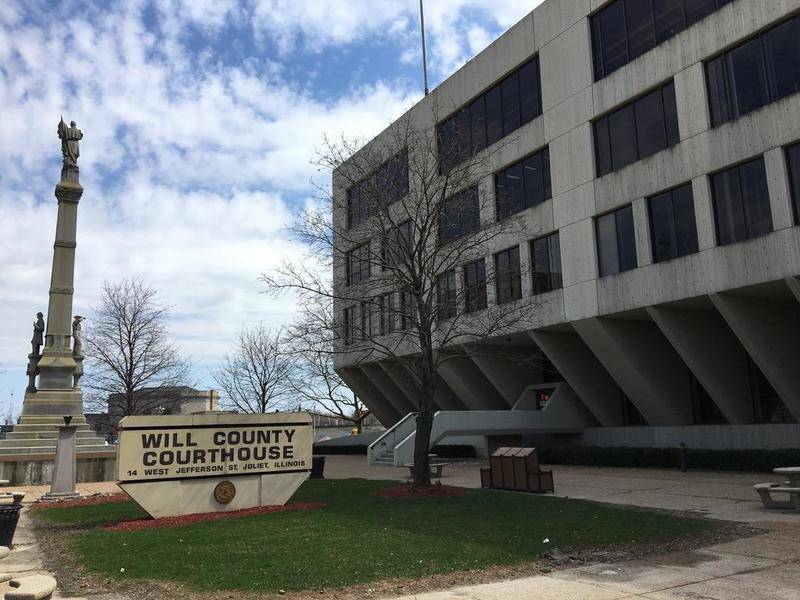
710, 336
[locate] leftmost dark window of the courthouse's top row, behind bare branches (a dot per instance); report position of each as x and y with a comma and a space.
388, 184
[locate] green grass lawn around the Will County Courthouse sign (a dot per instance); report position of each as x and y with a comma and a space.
358, 537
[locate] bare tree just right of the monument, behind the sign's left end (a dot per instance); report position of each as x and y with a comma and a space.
131, 361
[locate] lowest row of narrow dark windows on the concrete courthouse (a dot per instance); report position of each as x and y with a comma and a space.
741, 207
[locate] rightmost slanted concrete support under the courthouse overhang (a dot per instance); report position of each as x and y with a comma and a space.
770, 332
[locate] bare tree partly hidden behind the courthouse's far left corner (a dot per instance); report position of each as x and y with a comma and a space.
314, 379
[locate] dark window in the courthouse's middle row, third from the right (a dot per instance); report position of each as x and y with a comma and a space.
523, 184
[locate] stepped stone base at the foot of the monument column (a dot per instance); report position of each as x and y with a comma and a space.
39, 435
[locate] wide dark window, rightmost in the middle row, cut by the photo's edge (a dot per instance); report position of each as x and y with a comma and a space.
755, 73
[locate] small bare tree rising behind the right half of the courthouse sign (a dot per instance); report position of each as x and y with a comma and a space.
255, 375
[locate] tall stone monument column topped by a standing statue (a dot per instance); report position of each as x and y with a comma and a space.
56, 394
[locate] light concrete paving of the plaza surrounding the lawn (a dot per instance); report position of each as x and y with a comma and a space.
766, 566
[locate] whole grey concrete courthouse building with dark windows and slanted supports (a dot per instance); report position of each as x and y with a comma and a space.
653, 149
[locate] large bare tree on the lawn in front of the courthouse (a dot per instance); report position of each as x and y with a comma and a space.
406, 248
